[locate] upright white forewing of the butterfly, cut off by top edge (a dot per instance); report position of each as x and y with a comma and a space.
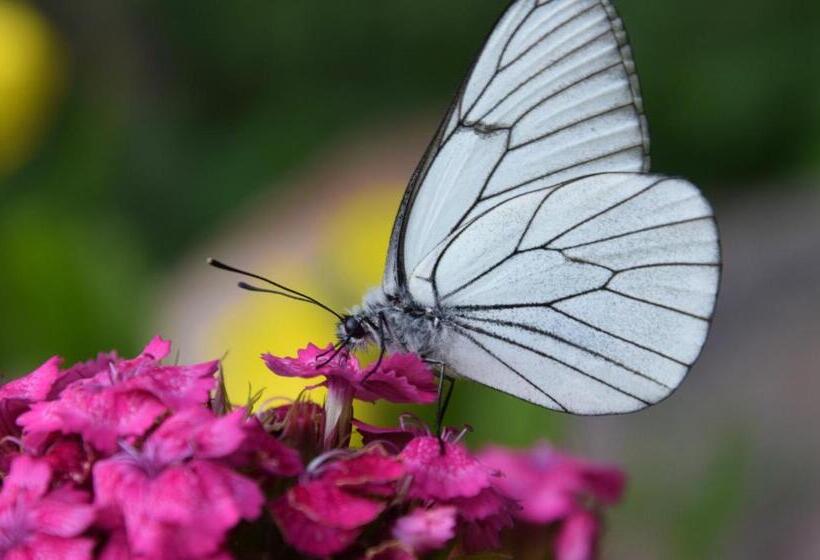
552, 96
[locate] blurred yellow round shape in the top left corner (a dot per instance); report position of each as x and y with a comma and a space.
30, 78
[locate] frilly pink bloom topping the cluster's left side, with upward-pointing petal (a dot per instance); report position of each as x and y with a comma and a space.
120, 400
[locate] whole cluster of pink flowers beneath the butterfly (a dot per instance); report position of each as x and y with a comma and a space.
132, 459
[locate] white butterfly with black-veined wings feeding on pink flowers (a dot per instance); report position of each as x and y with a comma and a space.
533, 252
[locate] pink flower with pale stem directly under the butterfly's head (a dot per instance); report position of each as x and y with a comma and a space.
399, 378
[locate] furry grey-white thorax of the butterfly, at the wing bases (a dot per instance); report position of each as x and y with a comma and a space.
407, 326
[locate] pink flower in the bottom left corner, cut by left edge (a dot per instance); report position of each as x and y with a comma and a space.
36, 523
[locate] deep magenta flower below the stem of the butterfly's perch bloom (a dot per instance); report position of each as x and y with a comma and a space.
325, 515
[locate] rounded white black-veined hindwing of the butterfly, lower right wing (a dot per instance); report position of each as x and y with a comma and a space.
592, 308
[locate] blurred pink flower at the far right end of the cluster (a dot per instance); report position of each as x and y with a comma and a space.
549, 485
